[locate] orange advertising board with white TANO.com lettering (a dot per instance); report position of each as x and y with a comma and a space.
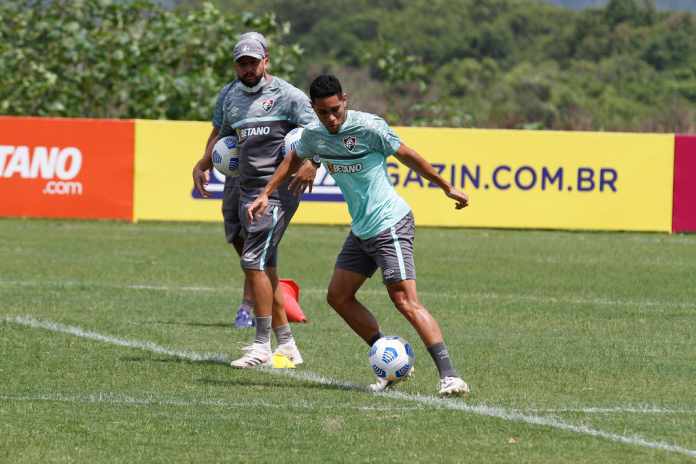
66, 168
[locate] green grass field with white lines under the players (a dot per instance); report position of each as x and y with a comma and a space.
579, 347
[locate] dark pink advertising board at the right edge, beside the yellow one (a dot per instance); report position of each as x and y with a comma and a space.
684, 211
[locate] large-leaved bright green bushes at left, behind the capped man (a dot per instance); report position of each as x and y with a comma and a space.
132, 59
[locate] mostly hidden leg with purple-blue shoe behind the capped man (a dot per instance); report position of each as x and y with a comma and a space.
233, 235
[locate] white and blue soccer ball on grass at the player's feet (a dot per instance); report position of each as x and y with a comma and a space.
391, 358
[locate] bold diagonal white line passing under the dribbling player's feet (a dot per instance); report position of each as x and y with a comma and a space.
450, 404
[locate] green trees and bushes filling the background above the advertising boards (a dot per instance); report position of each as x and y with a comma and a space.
462, 63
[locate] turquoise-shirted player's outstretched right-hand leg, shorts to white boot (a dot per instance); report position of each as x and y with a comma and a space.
393, 251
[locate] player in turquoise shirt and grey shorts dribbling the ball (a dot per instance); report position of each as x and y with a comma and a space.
354, 147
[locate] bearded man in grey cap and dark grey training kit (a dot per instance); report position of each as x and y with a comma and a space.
260, 109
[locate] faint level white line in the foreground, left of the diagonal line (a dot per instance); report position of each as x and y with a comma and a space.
156, 400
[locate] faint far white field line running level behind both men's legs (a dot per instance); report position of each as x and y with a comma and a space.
471, 296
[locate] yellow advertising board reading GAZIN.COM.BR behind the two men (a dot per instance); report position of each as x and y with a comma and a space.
515, 179
